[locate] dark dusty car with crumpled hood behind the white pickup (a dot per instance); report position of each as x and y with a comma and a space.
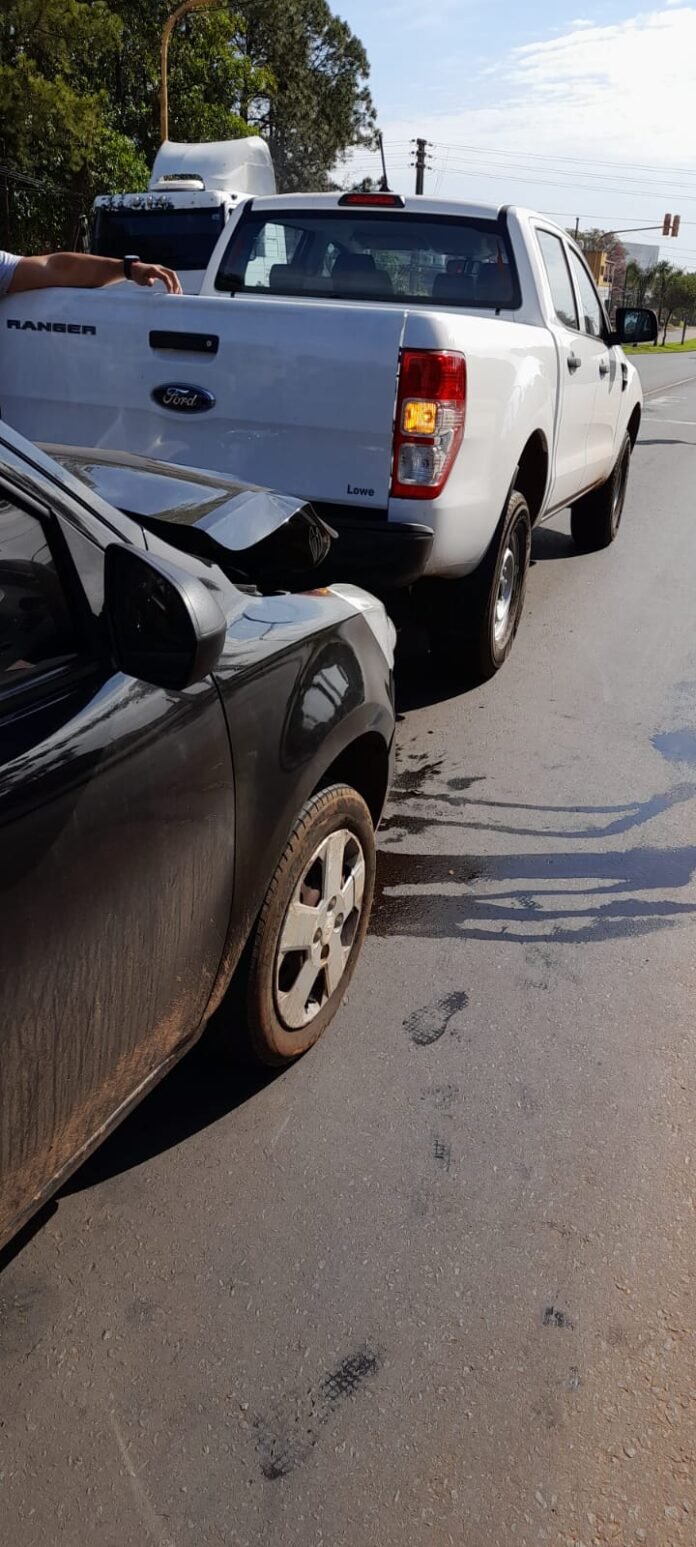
193, 765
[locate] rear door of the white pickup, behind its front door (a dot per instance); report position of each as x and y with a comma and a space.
578, 374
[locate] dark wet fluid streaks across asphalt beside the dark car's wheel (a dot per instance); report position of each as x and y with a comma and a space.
568, 895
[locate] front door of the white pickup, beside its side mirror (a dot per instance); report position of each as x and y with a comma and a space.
606, 366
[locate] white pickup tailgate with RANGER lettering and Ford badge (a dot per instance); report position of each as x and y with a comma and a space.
298, 397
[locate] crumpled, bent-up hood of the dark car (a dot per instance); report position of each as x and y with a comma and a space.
233, 514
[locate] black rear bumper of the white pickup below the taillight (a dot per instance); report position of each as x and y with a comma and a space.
381, 556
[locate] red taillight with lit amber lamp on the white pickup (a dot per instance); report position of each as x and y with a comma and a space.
431, 412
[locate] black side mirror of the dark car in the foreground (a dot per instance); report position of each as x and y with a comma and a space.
165, 626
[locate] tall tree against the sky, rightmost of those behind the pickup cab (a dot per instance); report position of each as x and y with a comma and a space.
319, 104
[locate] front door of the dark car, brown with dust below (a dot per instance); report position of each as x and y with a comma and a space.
117, 832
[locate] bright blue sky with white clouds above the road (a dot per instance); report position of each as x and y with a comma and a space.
578, 114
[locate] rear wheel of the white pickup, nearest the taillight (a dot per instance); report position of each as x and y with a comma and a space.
474, 621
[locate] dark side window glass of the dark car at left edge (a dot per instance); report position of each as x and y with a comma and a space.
36, 624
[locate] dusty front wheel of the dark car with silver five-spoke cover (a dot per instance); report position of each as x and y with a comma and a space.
304, 929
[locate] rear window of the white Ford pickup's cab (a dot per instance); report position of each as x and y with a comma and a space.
366, 256
